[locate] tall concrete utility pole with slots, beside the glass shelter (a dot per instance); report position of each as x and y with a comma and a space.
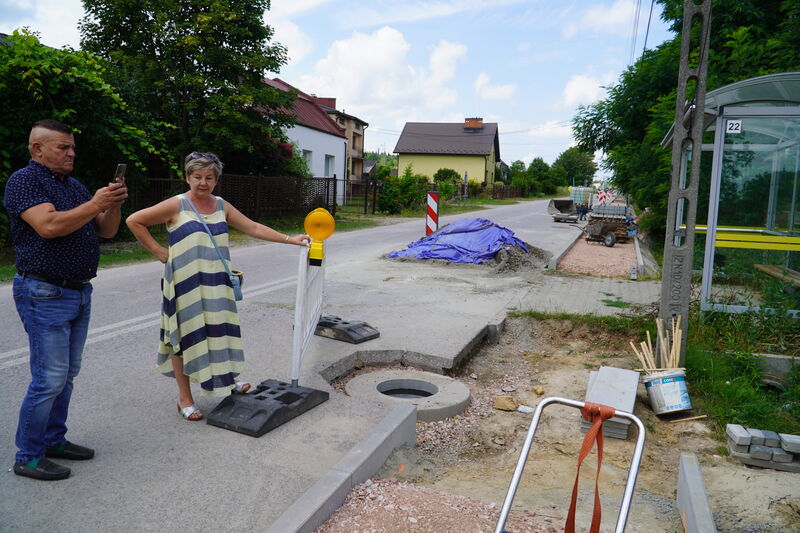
676, 279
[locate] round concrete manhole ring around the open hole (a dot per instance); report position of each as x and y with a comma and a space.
435, 396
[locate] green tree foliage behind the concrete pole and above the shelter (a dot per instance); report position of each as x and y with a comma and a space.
748, 38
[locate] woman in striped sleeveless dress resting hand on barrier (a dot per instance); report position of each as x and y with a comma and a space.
200, 339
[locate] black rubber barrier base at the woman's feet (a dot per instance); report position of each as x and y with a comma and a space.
271, 404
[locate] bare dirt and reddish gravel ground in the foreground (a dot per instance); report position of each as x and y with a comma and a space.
457, 475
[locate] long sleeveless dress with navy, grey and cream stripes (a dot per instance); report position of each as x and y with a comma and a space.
198, 314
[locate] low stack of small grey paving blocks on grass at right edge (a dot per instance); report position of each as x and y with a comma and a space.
764, 448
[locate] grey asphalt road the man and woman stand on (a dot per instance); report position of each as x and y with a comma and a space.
155, 472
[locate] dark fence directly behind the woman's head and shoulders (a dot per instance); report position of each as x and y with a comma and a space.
258, 197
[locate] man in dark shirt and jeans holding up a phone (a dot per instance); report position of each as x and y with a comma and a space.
55, 223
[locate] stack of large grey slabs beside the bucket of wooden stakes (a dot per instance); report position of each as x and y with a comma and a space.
615, 387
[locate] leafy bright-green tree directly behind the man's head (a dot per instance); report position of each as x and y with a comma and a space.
39, 82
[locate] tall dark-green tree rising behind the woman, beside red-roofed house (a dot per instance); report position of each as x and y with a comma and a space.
198, 65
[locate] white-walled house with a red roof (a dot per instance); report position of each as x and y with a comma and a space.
322, 143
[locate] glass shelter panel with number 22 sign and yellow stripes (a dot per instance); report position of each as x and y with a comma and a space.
753, 216
